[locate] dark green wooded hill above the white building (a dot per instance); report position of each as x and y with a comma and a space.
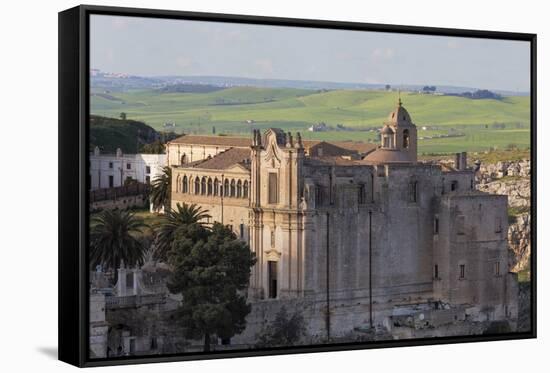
111, 133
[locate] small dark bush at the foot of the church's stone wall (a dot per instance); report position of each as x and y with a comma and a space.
285, 330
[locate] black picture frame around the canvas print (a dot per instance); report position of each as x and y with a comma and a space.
73, 170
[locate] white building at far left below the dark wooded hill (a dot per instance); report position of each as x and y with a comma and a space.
111, 170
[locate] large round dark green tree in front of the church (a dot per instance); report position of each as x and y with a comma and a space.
211, 269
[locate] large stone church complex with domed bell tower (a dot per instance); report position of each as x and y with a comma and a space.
357, 235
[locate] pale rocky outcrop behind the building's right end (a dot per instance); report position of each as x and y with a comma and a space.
512, 179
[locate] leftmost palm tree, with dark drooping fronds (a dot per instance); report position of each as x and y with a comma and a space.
113, 240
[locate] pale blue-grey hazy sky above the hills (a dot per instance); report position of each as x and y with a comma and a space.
156, 47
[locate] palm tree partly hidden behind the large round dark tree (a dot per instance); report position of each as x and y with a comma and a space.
183, 215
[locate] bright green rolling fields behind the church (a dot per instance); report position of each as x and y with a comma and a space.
476, 125
